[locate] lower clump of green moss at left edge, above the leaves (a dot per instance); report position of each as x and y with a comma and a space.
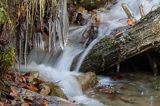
7, 59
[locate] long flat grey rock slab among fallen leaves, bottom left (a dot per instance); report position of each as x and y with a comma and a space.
38, 99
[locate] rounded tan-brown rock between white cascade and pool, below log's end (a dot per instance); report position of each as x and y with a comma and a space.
87, 80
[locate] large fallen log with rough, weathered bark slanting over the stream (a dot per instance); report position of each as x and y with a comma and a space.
130, 41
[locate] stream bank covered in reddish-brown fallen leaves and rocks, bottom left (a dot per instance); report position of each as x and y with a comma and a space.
27, 89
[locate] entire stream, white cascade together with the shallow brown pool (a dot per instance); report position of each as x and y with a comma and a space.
55, 67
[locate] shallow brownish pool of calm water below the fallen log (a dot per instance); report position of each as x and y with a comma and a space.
127, 89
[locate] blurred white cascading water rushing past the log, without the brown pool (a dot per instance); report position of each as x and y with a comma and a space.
59, 71
